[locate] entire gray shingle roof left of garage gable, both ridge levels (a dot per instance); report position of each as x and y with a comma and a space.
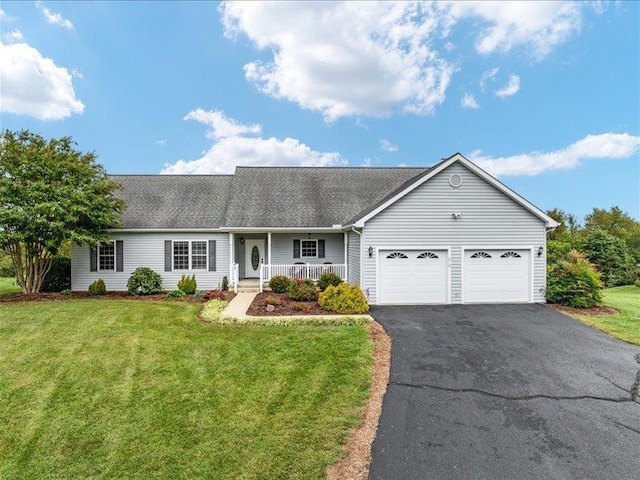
258, 197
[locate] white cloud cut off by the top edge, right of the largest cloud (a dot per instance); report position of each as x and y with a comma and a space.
537, 26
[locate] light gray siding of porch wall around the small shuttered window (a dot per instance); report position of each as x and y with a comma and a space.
282, 248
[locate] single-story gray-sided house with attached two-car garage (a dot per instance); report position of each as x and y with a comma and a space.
451, 233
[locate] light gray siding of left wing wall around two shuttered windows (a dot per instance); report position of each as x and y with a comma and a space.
147, 250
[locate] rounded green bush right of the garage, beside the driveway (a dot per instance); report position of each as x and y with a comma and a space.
574, 282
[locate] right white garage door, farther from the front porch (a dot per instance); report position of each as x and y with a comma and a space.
496, 276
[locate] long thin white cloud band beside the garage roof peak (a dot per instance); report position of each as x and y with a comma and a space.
603, 146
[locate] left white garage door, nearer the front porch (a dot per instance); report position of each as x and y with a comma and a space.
412, 276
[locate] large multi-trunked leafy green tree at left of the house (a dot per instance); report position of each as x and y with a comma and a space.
50, 193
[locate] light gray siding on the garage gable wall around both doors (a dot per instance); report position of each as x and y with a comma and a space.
423, 218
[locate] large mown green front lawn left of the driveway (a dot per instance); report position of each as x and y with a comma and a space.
128, 389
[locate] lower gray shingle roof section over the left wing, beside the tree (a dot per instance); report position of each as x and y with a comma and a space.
173, 201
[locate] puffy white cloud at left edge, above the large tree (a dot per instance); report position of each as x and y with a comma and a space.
34, 85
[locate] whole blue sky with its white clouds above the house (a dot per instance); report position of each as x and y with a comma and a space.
546, 96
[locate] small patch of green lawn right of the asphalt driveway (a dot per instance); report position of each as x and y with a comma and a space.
626, 325
